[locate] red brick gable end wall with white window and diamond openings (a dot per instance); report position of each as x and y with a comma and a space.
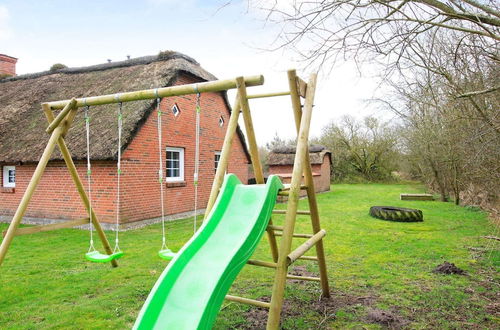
141, 193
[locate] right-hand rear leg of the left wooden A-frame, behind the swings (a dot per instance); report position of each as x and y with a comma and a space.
78, 183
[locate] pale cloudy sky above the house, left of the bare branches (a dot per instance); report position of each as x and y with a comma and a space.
226, 37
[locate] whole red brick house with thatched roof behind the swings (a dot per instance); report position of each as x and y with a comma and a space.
23, 138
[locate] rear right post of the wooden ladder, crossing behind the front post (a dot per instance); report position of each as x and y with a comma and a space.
309, 182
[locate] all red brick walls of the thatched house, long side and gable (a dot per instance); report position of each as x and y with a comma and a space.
56, 197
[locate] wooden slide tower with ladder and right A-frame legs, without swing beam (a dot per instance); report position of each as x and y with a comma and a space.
282, 255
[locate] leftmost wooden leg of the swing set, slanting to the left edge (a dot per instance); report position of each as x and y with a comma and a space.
35, 179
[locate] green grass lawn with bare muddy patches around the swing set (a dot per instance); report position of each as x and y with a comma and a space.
373, 264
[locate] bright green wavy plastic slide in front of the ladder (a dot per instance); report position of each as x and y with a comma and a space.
190, 291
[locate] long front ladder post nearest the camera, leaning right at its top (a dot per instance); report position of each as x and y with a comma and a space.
289, 225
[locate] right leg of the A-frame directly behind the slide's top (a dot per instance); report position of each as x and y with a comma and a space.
254, 156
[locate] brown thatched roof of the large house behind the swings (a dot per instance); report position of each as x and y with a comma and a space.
22, 122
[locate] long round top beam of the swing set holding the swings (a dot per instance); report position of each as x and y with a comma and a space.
148, 94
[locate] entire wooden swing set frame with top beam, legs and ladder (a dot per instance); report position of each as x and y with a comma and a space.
302, 178
